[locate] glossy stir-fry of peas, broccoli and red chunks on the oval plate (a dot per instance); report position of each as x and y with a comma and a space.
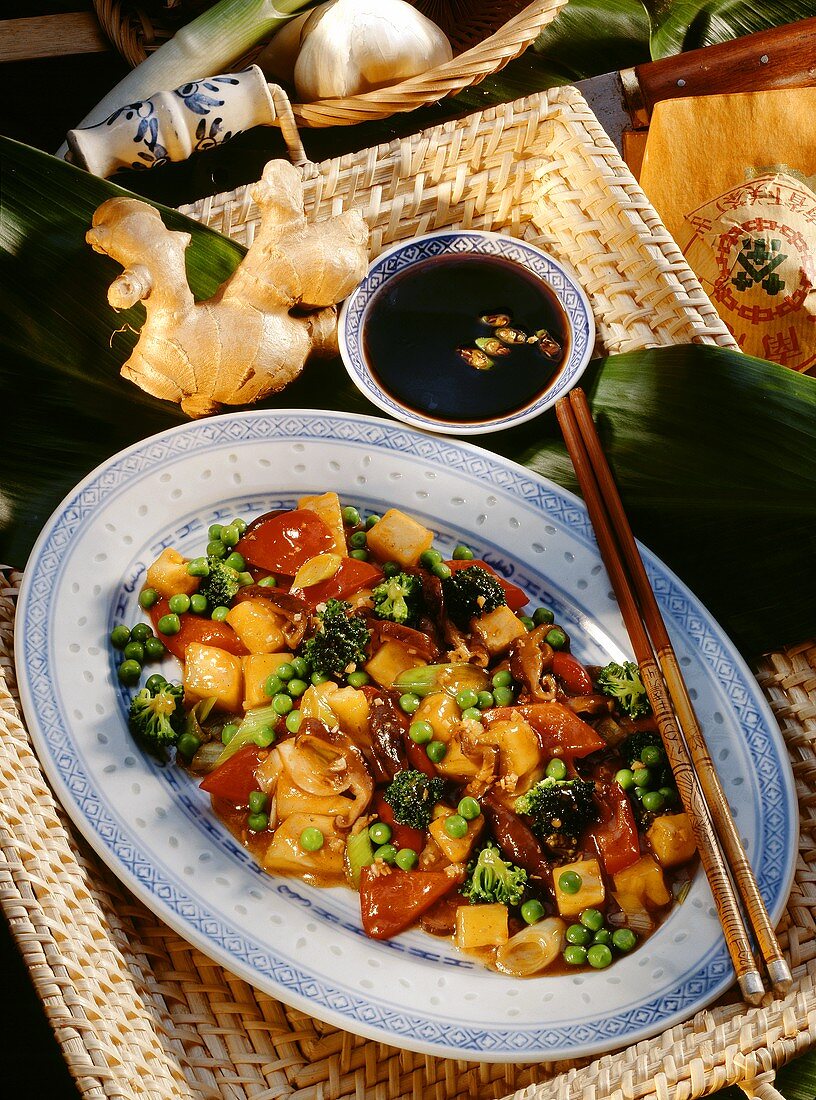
363, 711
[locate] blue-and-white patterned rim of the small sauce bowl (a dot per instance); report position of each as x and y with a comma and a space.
420, 250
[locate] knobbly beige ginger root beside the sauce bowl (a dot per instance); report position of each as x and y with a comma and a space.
245, 343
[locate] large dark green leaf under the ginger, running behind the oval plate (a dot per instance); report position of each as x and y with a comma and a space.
715, 453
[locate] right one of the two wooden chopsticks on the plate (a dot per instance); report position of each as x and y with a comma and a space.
778, 969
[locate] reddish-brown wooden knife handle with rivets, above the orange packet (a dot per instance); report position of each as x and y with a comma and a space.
781, 58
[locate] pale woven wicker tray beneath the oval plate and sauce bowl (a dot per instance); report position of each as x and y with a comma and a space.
144, 1016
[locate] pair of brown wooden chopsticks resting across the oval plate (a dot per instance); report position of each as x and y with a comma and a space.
699, 786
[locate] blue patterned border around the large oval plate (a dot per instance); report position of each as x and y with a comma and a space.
212, 931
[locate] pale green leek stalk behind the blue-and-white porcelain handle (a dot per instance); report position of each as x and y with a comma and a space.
206, 47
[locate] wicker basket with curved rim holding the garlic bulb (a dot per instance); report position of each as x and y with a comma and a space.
486, 36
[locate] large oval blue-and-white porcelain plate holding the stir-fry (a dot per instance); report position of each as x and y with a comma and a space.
156, 830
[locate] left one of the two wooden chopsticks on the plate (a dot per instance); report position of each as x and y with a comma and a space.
737, 939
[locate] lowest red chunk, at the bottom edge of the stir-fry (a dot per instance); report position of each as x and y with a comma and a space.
392, 903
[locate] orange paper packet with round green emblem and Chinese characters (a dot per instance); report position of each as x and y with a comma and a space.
733, 179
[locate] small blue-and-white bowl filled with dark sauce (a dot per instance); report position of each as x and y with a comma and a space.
402, 329
